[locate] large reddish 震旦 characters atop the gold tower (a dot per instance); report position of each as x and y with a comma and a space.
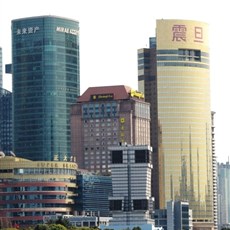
179, 33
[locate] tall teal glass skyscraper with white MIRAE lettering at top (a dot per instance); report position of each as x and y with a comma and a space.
46, 82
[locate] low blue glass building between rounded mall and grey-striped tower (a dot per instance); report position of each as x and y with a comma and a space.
93, 192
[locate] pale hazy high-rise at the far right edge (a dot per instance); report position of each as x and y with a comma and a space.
223, 194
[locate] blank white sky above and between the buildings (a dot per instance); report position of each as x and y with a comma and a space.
111, 32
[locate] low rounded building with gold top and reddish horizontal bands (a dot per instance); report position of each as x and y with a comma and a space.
31, 189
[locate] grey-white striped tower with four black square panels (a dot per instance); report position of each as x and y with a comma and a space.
131, 203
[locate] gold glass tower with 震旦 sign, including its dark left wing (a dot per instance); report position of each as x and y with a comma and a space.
174, 76
